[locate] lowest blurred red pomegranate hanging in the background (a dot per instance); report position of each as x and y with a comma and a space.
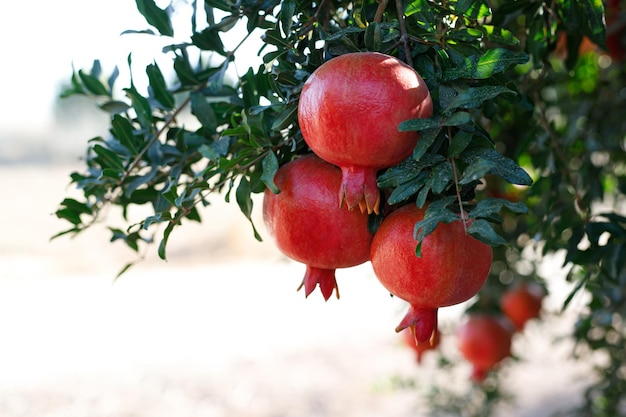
484, 341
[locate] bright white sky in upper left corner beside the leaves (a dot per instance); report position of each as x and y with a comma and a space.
43, 38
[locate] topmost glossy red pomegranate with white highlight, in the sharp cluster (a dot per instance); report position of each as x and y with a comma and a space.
349, 112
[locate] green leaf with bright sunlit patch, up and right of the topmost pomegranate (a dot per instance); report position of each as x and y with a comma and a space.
492, 62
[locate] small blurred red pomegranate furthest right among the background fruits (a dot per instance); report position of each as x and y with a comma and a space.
521, 304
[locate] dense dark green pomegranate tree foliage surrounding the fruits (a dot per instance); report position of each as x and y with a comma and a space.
528, 135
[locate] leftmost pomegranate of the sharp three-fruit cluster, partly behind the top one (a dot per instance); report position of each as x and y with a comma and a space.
308, 225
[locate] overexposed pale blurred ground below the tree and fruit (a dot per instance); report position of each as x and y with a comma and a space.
218, 330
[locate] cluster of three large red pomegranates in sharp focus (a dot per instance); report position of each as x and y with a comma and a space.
349, 112
